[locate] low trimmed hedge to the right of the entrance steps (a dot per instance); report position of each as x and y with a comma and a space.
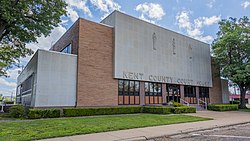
222, 107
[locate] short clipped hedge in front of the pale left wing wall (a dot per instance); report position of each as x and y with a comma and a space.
43, 113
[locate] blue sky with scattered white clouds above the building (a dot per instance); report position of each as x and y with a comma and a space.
195, 18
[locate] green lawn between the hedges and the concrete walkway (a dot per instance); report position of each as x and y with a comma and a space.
48, 128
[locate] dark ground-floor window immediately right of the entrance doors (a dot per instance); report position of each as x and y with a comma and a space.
190, 94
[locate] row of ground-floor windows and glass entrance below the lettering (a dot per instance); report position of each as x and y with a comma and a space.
129, 93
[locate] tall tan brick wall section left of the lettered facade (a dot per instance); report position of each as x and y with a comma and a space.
96, 86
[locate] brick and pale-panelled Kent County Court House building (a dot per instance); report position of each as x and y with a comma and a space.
121, 61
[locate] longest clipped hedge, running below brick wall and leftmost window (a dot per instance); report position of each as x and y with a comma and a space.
72, 112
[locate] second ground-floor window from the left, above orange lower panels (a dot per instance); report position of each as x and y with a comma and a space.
153, 93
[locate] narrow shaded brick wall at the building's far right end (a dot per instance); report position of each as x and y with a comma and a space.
215, 92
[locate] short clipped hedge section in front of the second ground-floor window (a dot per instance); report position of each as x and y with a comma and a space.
157, 110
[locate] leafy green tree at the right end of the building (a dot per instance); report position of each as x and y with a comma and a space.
231, 49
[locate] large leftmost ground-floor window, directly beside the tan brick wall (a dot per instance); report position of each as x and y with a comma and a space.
128, 92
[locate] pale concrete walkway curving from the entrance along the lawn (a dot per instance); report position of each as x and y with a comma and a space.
220, 119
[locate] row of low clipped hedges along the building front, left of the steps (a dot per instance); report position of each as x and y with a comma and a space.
74, 112
